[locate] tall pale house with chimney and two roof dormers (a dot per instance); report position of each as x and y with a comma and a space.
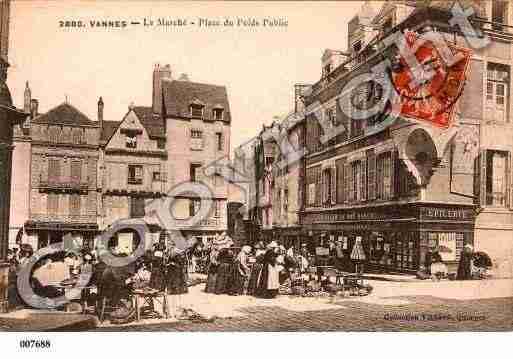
197, 122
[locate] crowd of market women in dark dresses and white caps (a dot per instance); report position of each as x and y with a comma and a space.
257, 270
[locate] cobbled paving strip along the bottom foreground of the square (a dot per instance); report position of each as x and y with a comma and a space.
426, 313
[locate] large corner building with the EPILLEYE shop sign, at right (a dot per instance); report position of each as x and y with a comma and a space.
409, 186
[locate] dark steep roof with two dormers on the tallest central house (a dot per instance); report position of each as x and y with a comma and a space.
179, 95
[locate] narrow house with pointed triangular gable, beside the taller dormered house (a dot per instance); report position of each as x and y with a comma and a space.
133, 169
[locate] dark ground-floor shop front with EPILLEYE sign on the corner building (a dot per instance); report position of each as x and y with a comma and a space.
395, 238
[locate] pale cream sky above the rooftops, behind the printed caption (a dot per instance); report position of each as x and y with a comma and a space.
258, 65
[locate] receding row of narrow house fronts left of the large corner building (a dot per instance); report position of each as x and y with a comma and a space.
278, 176
